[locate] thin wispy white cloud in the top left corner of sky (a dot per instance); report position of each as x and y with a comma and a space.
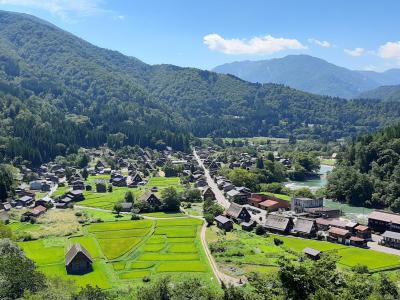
62, 8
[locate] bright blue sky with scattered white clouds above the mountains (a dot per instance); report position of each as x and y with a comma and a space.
354, 34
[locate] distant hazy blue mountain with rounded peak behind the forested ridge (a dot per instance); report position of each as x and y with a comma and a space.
310, 74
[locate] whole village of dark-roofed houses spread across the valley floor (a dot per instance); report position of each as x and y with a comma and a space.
108, 177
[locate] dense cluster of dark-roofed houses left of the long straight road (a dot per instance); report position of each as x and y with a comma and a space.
46, 178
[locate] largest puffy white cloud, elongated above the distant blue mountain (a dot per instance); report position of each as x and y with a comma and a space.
256, 45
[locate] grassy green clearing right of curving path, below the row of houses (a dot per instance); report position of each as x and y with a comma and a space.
245, 252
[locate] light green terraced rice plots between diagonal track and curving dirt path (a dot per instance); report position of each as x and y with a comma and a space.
173, 248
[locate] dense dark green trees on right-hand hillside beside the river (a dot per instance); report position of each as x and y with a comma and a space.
369, 171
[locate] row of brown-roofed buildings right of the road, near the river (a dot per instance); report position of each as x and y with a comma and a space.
308, 218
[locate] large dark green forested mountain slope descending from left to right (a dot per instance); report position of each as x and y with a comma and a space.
58, 92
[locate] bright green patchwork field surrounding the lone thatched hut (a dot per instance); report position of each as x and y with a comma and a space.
126, 251
